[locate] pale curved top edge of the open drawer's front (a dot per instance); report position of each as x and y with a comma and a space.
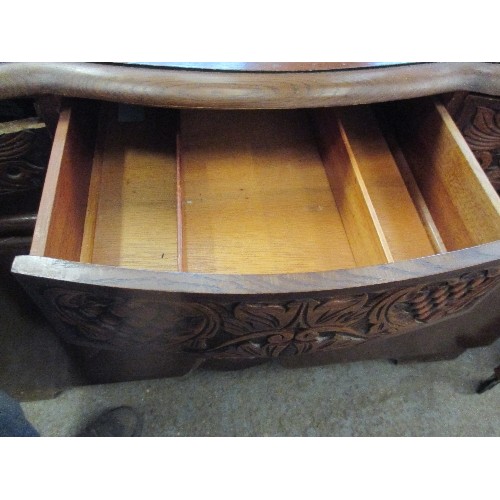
422, 269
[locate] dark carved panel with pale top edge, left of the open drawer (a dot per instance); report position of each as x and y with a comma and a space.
24, 153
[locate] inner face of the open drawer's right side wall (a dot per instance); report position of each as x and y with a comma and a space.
463, 204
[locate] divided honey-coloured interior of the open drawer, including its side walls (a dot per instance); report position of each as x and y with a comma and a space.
264, 191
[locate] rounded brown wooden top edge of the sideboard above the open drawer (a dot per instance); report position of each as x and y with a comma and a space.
221, 89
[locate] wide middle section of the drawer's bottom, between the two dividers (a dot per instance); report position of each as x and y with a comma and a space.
256, 196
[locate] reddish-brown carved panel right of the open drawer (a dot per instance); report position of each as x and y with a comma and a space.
479, 121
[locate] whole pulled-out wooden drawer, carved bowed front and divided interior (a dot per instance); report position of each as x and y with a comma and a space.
248, 235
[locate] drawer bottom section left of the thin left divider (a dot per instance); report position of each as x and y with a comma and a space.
135, 208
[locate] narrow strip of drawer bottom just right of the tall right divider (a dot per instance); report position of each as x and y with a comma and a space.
401, 224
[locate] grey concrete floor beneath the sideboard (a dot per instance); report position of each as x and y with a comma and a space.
373, 398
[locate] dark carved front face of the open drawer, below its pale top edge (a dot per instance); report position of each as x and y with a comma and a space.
253, 329
